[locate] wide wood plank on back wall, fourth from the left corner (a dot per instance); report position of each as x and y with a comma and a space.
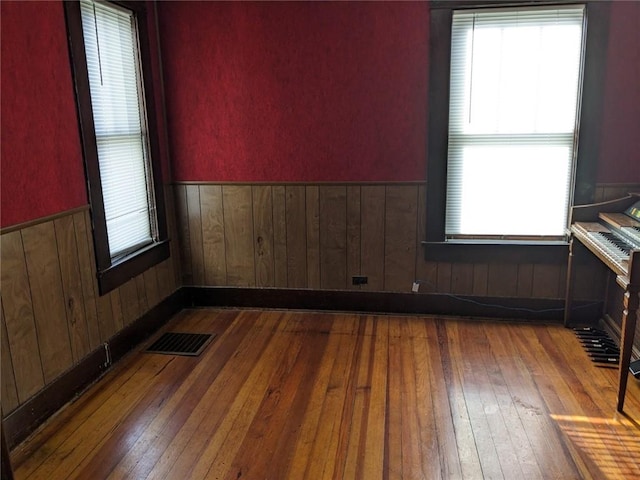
238, 235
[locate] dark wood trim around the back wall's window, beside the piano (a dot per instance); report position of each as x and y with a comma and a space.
436, 248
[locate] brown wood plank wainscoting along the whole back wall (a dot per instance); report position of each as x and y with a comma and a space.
319, 235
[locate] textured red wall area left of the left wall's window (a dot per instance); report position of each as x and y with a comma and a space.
42, 170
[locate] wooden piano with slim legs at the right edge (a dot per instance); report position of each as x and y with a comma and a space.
601, 227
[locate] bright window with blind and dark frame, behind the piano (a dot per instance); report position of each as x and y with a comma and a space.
509, 87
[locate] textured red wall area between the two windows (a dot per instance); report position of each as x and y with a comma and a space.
298, 91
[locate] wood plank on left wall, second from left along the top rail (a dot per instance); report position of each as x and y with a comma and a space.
43, 267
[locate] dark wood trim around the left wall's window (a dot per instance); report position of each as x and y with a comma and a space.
113, 274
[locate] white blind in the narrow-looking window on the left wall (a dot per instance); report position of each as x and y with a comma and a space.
111, 46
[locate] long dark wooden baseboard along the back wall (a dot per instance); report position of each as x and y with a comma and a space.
529, 309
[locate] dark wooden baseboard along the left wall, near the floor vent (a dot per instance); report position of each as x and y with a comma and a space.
30, 415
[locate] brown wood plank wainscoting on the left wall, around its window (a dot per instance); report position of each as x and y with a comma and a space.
52, 315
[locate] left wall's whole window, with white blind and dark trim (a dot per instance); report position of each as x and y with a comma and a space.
108, 51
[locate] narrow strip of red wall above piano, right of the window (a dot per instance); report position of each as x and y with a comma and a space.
620, 143
